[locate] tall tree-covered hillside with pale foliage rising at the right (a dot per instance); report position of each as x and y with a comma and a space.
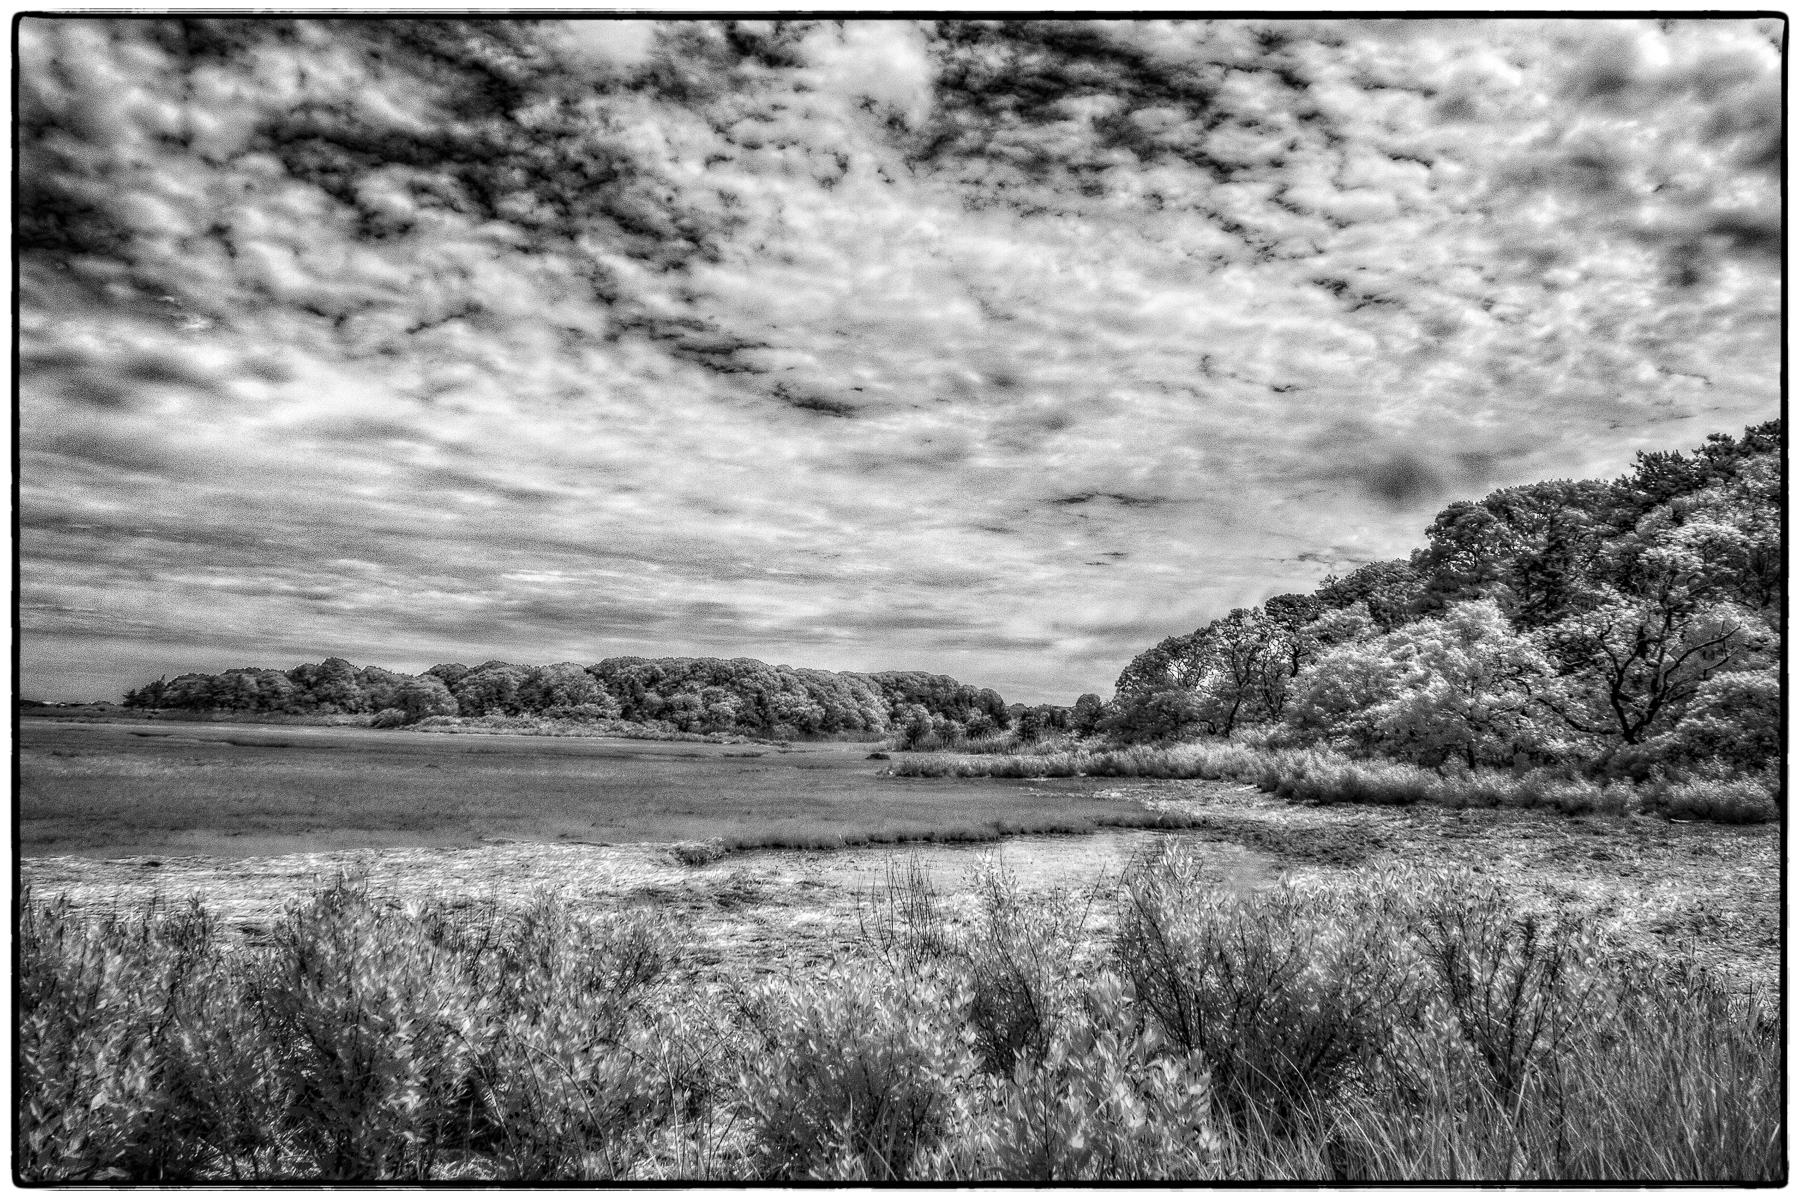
1617, 629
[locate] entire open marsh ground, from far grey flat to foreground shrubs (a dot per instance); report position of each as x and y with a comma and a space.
357, 954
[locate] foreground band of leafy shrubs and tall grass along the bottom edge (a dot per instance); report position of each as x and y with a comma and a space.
1389, 1026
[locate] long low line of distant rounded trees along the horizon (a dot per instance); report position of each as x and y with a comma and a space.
685, 695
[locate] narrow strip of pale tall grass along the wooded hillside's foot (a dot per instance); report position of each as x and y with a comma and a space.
1333, 778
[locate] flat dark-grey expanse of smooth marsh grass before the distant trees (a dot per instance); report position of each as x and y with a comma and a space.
161, 789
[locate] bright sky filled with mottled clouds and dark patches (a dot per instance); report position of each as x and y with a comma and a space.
998, 350
